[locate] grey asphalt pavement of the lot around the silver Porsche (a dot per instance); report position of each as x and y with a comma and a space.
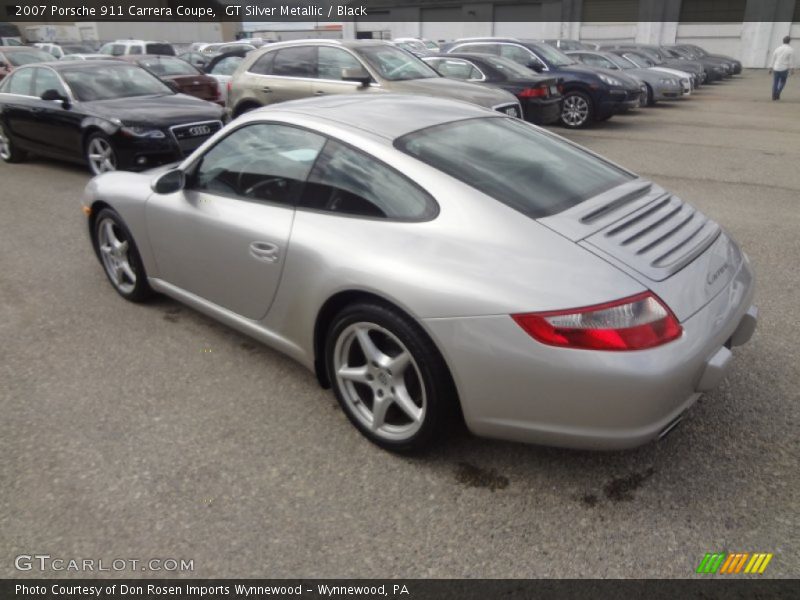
138, 432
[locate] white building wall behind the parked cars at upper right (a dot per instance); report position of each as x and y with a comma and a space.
764, 23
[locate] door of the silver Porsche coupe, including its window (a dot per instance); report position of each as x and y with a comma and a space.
225, 236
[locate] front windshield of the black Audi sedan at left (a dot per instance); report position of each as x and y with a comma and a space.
113, 81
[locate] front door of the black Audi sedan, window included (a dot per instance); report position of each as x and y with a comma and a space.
55, 128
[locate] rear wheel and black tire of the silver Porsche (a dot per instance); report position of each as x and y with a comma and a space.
424, 379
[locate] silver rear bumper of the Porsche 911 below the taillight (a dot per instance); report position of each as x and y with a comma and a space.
530, 392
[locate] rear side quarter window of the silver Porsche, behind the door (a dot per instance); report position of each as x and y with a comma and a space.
350, 182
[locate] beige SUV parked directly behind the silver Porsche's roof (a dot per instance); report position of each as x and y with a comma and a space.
305, 68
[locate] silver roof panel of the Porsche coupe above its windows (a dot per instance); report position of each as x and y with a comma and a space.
386, 115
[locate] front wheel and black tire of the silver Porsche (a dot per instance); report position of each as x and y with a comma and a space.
137, 290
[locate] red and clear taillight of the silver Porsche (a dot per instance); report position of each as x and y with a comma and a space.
633, 323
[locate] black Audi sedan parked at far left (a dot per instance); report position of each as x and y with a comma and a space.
107, 114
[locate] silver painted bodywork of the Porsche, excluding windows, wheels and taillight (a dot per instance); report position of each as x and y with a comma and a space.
460, 275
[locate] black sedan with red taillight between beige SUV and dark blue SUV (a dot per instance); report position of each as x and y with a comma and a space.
539, 95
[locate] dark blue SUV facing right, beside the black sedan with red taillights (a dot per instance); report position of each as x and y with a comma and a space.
589, 94
